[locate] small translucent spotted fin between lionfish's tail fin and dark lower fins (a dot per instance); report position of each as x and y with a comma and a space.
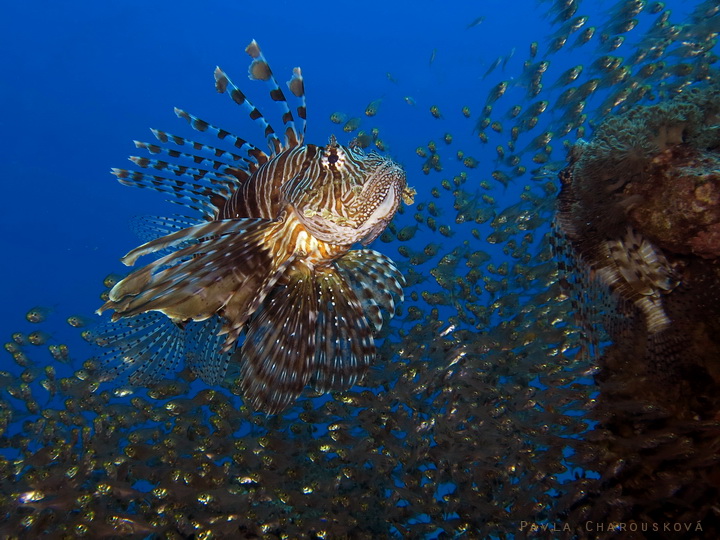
203, 344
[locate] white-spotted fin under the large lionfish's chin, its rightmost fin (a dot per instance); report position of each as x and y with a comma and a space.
376, 282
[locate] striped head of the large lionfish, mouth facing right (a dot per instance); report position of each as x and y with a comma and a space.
345, 195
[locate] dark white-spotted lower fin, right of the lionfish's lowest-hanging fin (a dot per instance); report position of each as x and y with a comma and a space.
344, 345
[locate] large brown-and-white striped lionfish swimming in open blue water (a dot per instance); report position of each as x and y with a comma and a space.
271, 258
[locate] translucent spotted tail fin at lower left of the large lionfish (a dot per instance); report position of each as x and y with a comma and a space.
143, 349
